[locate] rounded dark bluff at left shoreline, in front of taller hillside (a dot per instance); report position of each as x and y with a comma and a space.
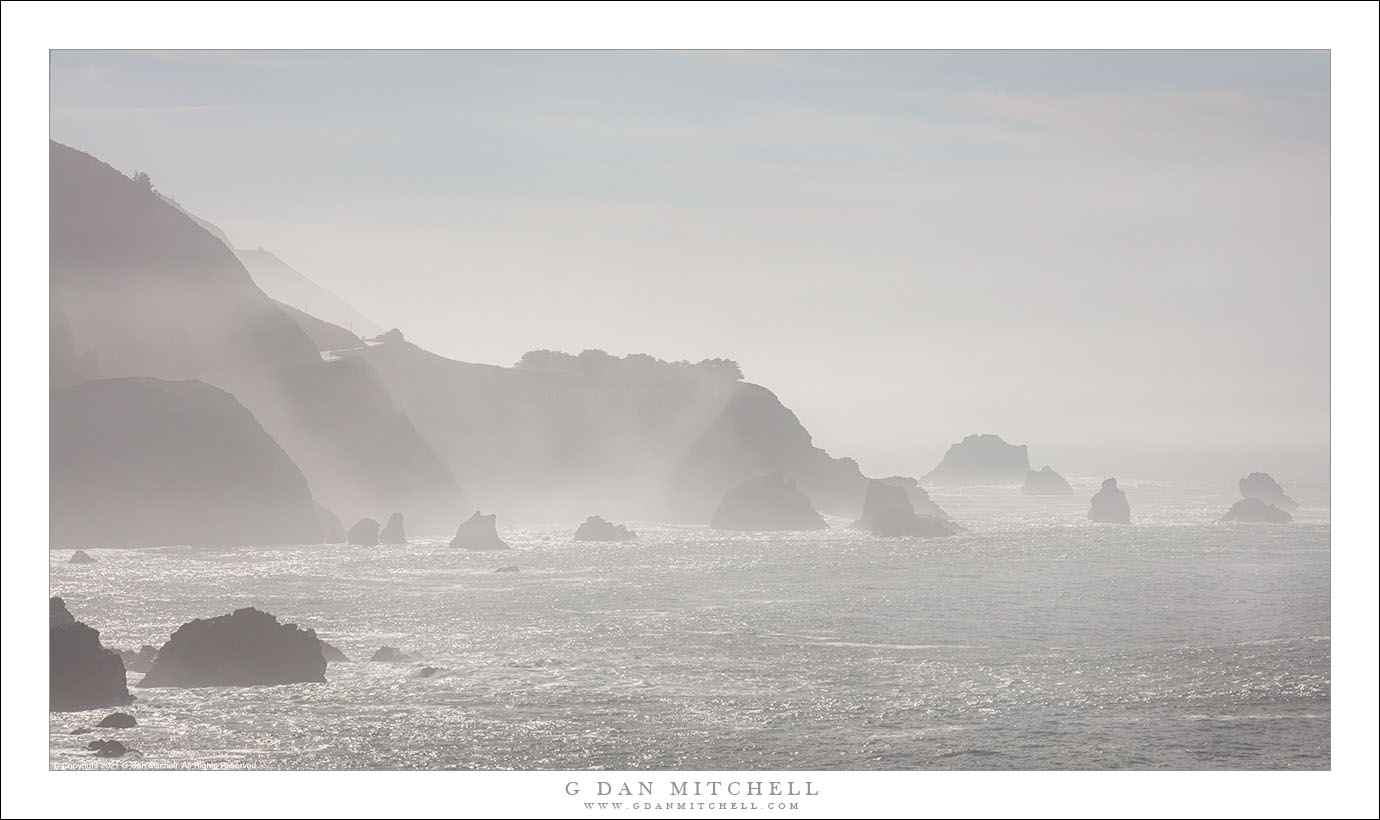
144, 462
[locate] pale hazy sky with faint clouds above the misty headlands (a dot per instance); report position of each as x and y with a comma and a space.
1118, 259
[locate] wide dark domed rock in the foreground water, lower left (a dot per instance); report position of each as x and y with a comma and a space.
246, 648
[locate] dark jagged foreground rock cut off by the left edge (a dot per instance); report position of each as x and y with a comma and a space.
82, 674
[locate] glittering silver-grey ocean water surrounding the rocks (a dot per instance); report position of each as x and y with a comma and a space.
1032, 641
